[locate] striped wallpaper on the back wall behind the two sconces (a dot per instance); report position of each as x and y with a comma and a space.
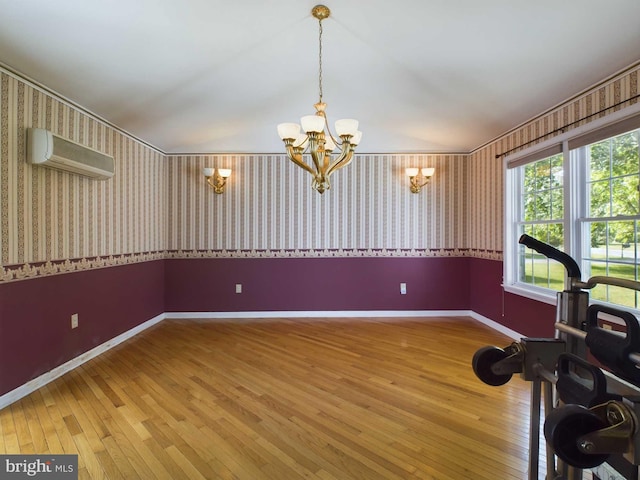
270, 209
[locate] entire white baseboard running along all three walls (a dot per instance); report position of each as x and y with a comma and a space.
36, 383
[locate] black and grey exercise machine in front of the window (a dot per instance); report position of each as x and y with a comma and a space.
590, 375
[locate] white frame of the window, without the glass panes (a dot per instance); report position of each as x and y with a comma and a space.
574, 198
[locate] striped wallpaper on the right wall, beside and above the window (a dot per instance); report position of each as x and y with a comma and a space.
485, 171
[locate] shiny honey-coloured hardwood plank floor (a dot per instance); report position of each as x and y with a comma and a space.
283, 399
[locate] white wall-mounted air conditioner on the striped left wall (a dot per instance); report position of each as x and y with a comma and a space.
49, 150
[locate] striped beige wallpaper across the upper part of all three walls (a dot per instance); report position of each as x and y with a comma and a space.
159, 206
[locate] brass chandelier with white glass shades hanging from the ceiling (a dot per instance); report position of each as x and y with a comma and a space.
314, 138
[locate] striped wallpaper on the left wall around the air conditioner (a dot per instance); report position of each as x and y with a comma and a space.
49, 217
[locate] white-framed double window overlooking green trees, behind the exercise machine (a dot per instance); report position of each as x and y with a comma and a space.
581, 195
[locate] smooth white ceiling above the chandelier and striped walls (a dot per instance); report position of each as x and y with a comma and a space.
215, 76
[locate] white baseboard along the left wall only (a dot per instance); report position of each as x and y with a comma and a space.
33, 385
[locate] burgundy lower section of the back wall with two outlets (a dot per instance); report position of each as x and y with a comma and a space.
316, 284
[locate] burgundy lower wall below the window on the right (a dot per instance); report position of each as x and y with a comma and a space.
526, 316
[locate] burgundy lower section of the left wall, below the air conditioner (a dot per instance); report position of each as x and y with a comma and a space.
35, 315
